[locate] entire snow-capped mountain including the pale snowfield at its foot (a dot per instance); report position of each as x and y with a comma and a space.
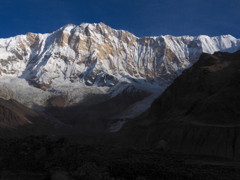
96, 59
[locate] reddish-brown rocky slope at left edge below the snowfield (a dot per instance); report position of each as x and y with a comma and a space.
17, 120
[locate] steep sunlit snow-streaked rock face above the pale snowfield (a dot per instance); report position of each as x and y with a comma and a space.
98, 54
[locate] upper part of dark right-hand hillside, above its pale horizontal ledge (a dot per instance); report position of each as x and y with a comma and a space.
208, 92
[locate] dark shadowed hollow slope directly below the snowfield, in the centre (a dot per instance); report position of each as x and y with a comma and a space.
96, 117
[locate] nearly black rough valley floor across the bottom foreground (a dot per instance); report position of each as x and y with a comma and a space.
40, 158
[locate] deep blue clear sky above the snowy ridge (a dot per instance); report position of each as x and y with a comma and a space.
140, 17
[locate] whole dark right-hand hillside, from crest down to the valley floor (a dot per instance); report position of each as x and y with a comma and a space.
198, 113
